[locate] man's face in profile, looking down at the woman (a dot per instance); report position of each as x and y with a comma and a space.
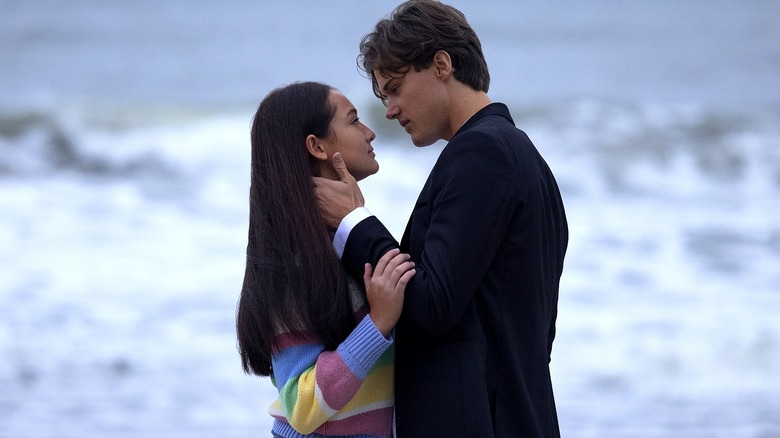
417, 99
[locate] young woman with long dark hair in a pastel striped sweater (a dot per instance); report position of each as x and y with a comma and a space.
323, 337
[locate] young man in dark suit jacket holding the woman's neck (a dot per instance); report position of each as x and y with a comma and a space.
488, 236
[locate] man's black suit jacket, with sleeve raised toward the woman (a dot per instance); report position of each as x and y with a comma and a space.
488, 235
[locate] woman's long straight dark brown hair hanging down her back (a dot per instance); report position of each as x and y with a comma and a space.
294, 281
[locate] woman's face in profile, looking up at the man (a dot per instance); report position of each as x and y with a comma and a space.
350, 137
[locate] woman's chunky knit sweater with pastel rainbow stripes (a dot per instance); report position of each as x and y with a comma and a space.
346, 392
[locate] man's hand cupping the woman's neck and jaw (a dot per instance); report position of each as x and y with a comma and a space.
336, 199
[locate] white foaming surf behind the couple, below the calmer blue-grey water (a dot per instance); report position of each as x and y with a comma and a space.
120, 285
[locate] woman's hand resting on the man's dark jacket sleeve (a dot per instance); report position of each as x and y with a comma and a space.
385, 286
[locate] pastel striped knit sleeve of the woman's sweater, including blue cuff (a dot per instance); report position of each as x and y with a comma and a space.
314, 384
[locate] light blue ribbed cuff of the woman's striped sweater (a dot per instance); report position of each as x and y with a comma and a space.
363, 347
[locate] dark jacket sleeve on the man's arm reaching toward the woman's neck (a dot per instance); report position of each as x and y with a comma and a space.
470, 202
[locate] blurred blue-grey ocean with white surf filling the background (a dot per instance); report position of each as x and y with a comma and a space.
124, 164
